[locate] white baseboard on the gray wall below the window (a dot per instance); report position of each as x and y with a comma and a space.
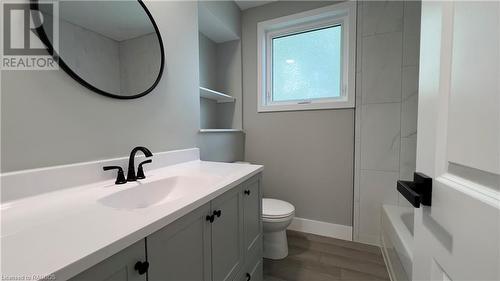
338, 231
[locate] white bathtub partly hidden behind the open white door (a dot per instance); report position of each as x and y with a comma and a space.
397, 241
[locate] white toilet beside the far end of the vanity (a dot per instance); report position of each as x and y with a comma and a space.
276, 217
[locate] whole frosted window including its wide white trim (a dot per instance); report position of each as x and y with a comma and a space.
306, 61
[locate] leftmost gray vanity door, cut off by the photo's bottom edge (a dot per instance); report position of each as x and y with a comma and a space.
119, 267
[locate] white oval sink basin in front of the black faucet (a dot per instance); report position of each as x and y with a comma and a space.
145, 195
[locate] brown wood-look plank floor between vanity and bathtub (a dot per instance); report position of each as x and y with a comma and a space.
318, 258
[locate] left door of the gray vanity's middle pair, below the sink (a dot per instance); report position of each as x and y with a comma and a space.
181, 250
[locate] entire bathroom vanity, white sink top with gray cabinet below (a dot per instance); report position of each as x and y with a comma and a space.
189, 220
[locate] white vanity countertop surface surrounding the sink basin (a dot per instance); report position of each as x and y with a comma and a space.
67, 231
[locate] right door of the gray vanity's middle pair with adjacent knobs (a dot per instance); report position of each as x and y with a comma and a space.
227, 235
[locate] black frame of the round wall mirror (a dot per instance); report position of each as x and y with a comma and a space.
43, 36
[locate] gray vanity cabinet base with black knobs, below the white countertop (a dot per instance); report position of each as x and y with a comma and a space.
219, 241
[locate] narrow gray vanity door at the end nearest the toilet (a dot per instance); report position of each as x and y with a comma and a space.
252, 226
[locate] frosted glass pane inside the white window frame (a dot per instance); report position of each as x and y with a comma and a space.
306, 65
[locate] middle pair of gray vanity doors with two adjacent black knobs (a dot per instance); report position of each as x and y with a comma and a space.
197, 248
